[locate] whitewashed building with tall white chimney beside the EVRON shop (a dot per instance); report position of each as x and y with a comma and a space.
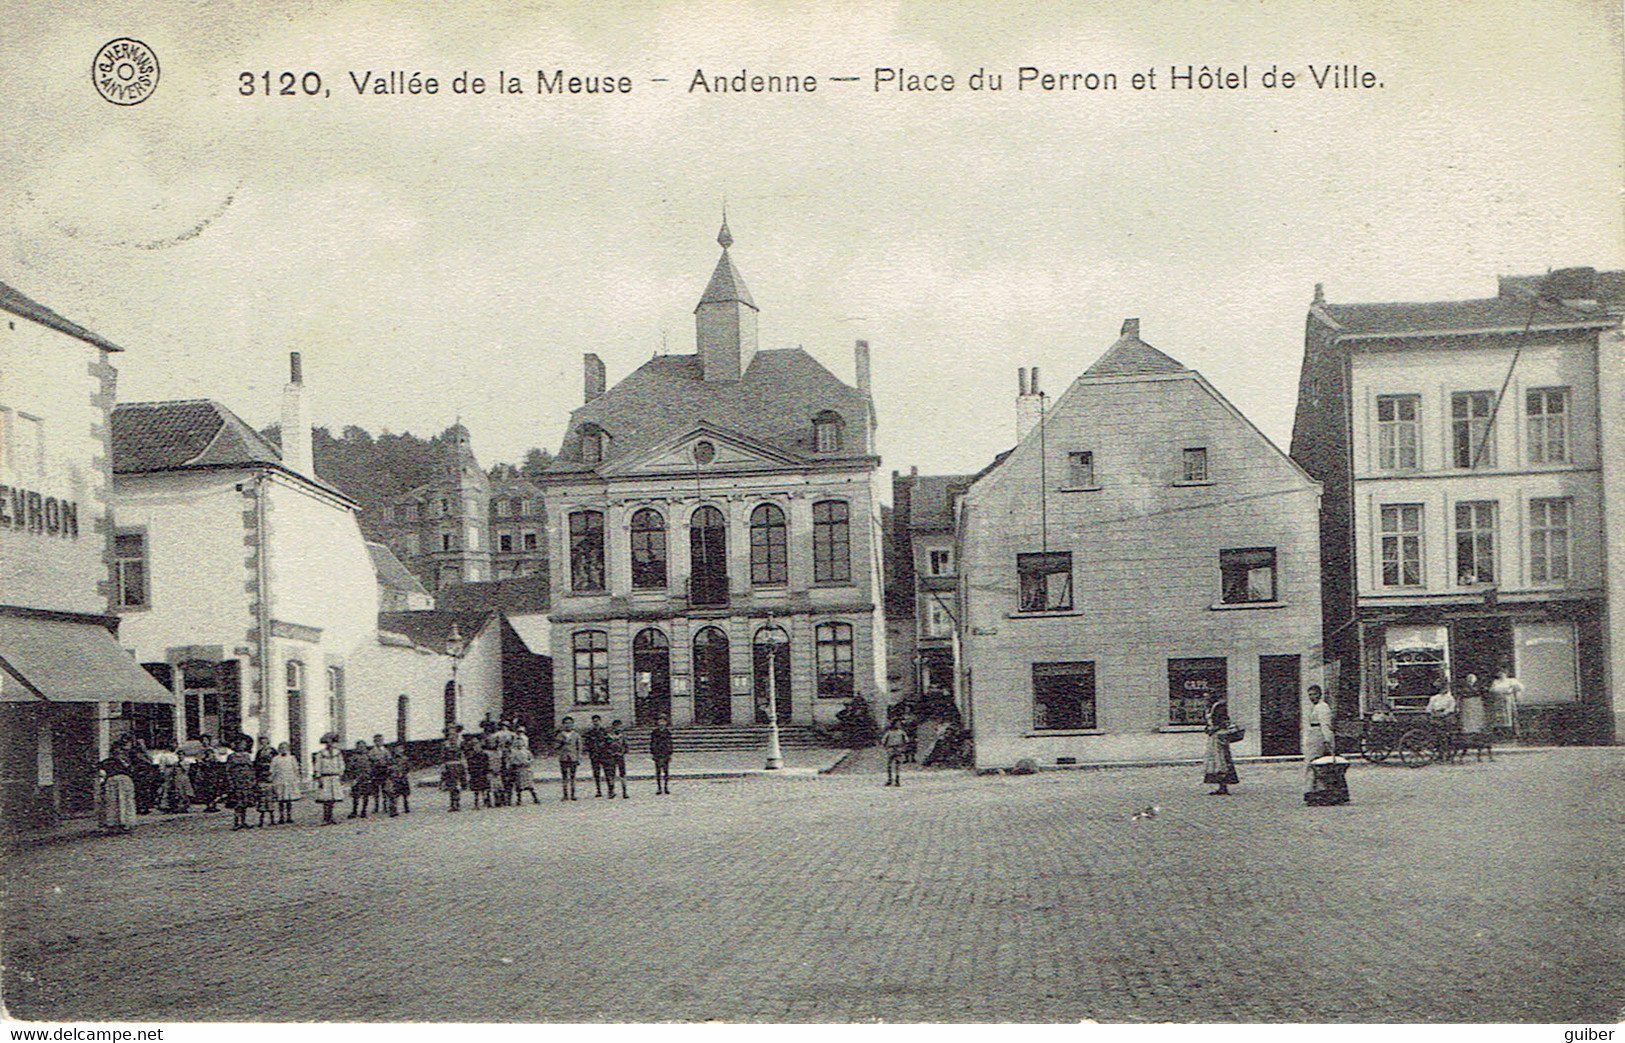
245, 582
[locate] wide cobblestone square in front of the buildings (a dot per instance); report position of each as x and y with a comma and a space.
1478, 893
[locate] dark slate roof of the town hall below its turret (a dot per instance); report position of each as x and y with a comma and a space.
774, 402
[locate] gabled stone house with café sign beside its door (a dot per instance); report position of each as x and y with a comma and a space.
1142, 550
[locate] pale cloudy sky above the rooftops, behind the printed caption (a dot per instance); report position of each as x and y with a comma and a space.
454, 256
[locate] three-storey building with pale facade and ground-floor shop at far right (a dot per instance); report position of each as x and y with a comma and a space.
1471, 454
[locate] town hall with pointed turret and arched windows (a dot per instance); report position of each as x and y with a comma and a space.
716, 534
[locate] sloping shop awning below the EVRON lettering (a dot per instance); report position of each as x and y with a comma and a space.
71, 662
